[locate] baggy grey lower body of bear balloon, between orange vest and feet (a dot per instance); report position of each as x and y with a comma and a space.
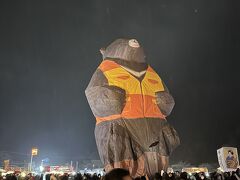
123, 139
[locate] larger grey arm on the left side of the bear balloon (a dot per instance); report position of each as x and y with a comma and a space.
104, 100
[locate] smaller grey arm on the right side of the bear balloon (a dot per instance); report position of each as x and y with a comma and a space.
165, 101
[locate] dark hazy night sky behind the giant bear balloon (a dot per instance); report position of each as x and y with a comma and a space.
50, 49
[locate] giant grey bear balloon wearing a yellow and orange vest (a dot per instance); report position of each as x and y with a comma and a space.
131, 103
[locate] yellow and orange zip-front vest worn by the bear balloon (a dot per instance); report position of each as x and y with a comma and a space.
140, 95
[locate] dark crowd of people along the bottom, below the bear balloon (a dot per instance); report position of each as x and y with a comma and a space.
122, 174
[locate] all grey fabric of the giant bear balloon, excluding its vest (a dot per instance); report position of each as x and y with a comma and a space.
149, 139
